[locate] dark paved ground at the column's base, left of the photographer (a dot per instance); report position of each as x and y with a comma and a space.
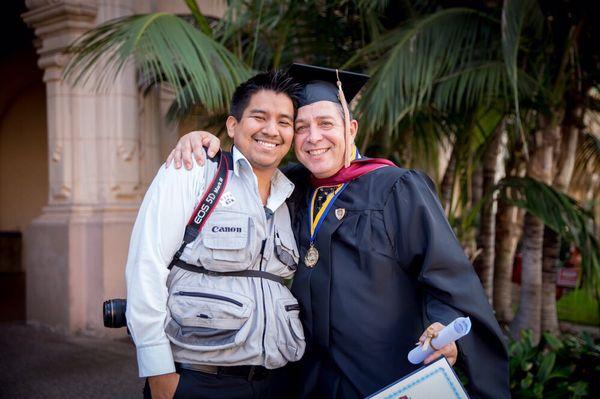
36, 363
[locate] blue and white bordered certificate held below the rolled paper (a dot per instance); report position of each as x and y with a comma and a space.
436, 380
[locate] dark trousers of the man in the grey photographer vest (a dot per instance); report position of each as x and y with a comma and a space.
198, 385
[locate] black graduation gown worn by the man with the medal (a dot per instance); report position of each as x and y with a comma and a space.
387, 269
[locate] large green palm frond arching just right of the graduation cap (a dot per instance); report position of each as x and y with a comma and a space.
418, 56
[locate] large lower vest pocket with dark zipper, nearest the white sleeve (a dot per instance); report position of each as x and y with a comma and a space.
208, 320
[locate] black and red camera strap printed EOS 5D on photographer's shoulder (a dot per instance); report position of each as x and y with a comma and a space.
207, 204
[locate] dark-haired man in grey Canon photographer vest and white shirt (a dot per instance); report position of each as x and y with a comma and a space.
214, 320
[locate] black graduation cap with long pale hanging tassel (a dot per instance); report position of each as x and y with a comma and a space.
326, 84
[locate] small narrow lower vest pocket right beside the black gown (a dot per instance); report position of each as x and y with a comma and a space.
290, 334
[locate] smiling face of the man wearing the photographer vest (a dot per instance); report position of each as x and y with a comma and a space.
265, 131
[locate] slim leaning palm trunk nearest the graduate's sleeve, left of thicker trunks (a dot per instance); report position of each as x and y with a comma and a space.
484, 264
